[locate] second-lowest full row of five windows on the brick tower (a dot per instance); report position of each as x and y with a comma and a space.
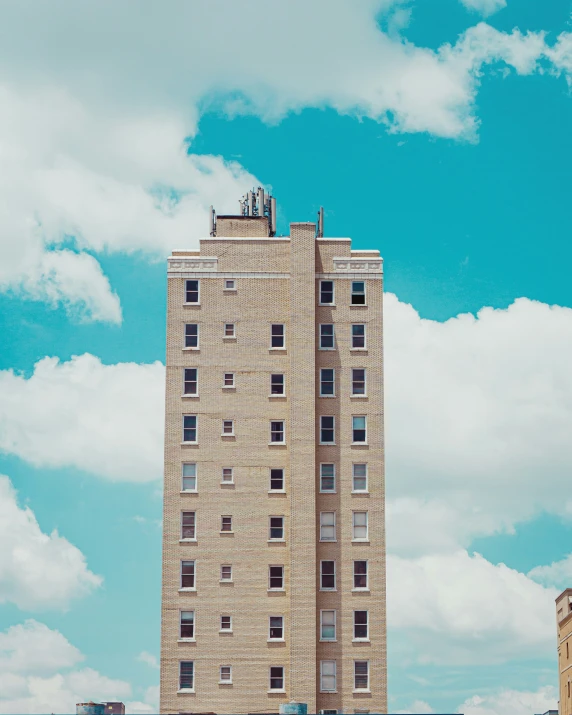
328, 626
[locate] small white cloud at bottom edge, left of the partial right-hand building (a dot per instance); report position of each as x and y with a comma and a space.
514, 702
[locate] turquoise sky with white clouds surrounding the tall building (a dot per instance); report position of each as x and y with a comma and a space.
434, 131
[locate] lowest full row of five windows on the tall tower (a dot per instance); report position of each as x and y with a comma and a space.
328, 679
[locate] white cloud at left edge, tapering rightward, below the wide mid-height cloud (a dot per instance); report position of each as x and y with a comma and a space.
37, 571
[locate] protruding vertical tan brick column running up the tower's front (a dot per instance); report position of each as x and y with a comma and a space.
302, 465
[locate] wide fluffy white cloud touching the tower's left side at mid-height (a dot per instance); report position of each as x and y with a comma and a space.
105, 419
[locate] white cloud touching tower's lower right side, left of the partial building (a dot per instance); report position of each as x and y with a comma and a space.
461, 609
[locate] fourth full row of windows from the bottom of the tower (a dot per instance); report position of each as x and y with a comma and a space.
276, 526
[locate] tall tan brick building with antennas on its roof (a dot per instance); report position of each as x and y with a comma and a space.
274, 537
